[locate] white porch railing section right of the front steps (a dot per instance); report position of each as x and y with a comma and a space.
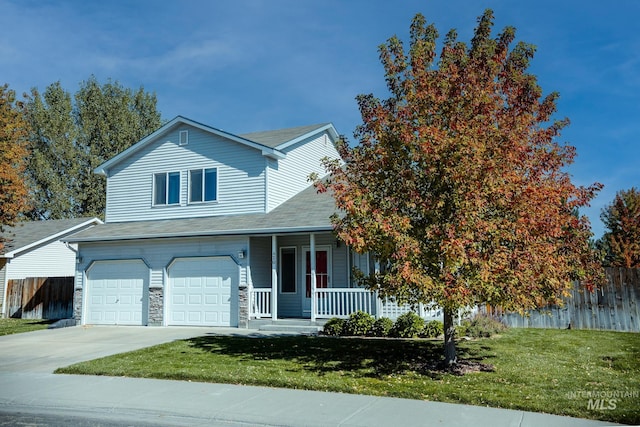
341, 302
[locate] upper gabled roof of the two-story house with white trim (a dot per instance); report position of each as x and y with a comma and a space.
270, 143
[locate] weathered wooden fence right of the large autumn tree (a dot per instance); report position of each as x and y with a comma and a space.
612, 307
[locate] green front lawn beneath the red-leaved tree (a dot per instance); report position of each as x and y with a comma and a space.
535, 369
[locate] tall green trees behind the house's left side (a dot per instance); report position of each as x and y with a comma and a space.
69, 139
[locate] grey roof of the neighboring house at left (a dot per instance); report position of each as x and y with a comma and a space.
26, 235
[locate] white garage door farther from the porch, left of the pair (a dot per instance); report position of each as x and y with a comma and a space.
115, 291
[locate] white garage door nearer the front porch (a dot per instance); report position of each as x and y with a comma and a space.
201, 291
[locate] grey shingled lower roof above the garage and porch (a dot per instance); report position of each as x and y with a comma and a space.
308, 211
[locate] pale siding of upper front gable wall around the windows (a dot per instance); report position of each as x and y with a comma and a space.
238, 171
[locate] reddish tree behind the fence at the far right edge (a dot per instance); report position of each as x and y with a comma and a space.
622, 240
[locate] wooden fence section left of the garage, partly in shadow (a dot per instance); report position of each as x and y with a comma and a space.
40, 298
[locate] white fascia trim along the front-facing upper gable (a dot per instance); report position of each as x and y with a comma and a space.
266, 151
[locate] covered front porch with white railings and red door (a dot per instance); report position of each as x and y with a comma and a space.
309, 277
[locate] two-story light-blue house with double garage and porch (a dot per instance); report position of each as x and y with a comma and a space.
204, 227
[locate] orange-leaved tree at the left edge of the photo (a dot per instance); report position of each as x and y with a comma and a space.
13, 131
